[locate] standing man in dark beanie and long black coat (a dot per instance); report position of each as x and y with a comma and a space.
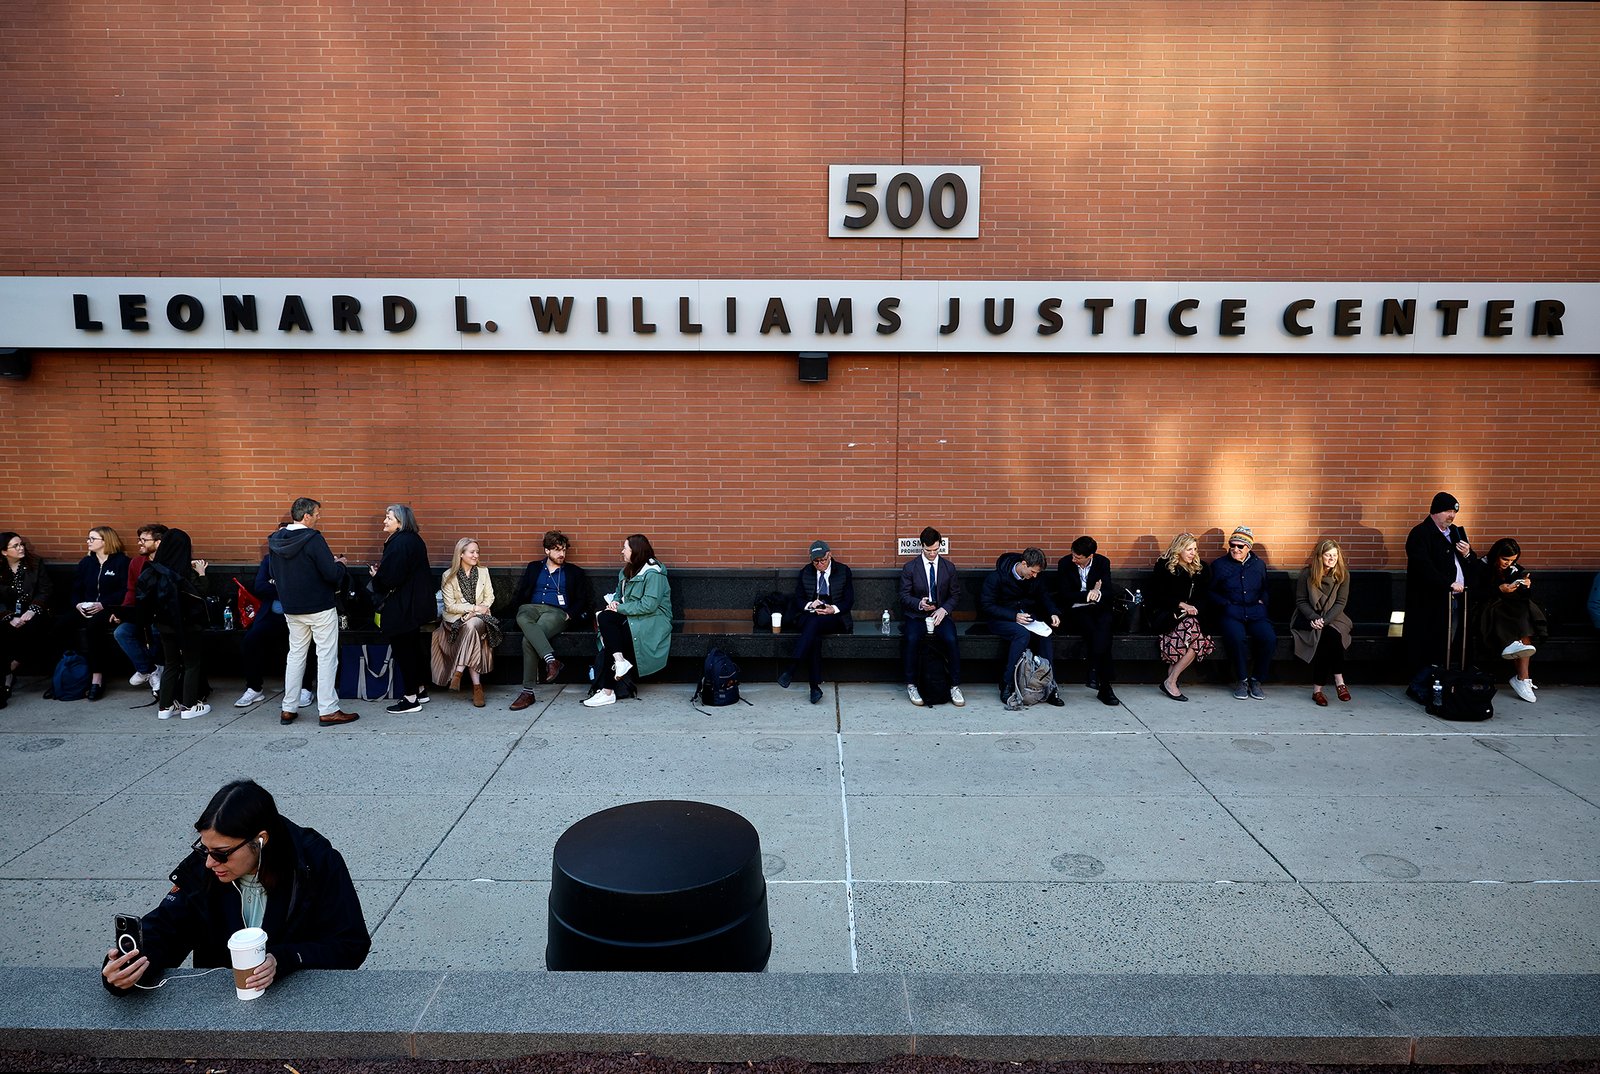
1439, 571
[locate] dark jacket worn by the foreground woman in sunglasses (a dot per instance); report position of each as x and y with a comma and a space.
314, 920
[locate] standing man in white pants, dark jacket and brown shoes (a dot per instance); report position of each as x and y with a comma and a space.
308, 577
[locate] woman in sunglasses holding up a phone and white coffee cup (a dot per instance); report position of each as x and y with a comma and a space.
250, 868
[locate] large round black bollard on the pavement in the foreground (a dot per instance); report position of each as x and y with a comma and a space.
660, 886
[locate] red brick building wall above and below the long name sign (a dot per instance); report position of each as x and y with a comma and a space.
1385, 142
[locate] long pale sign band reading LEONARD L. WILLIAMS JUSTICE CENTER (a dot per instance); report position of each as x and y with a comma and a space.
788, 316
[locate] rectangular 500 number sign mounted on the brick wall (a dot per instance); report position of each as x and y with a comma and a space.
903, 202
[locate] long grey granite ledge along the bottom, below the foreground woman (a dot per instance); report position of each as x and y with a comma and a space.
820, 1017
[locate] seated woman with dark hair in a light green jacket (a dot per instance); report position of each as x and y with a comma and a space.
636, 625
